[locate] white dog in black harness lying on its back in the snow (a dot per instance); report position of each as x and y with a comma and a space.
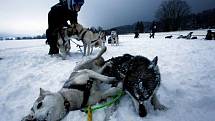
79, 91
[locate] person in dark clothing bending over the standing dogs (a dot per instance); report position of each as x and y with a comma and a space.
65, 10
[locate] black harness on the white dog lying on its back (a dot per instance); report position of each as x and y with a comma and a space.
82, 87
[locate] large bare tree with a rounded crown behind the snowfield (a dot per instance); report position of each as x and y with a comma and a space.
172, 14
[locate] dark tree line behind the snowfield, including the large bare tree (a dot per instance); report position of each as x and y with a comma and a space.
173, 15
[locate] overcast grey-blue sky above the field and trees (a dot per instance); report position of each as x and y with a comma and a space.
31, 16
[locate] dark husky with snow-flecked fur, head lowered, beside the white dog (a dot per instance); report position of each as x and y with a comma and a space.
141, 79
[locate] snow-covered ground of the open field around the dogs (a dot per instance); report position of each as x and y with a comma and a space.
187, 69
